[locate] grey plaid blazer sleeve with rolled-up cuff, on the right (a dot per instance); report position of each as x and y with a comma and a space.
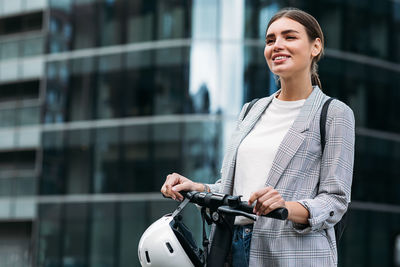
336, 175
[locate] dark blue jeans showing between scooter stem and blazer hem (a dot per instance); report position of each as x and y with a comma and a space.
241, 245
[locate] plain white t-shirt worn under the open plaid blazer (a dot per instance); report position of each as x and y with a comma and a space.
258, 149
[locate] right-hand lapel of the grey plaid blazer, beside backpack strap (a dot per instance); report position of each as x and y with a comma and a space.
295, 136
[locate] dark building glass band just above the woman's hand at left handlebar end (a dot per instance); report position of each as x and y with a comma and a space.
129, 159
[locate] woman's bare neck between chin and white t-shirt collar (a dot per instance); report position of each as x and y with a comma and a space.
295, 88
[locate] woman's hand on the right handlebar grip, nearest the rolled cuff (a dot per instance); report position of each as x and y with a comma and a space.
267, 199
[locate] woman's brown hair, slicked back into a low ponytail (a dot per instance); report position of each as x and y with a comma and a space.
313, 31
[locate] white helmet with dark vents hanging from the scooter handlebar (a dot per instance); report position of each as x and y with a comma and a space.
163, 245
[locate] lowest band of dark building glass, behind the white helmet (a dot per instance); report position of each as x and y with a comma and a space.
98, 234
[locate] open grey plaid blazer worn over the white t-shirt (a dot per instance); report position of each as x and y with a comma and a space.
321, 183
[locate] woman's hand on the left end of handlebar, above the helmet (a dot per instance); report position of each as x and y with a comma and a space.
175, 183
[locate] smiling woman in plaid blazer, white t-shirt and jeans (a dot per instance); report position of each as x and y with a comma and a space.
275, 157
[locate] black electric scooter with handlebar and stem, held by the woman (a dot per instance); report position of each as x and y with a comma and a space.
219, 210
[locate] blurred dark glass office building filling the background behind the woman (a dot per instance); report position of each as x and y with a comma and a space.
101, 99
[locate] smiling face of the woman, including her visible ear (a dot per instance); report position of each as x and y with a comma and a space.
288, 50
